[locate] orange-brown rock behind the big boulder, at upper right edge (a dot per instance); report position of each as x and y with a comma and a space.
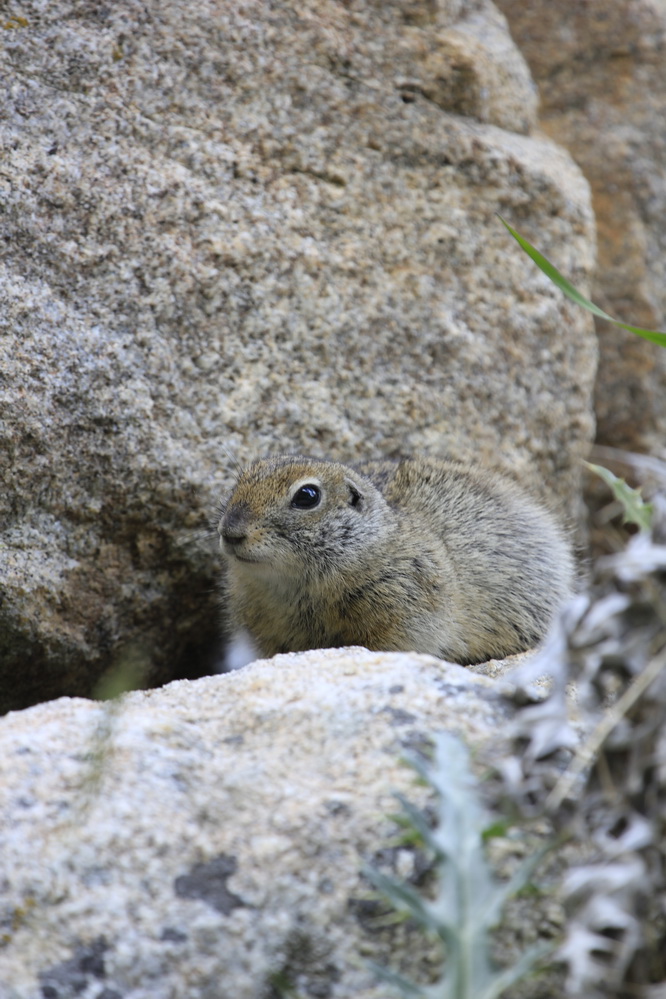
600, 69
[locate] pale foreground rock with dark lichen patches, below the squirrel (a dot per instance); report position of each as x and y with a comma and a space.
206, 839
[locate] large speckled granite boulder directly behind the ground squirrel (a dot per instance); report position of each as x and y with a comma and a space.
261, 227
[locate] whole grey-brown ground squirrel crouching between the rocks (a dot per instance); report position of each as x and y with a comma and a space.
417, 555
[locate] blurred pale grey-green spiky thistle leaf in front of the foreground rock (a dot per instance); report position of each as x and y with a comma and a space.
468, 901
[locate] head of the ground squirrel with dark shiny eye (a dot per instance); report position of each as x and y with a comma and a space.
291, 514
